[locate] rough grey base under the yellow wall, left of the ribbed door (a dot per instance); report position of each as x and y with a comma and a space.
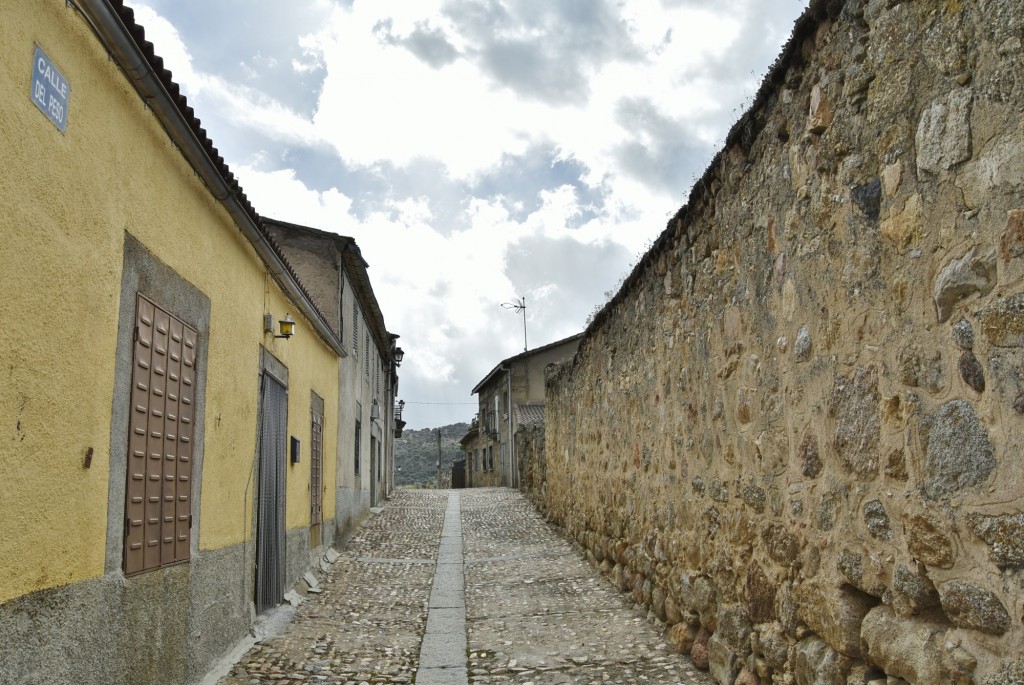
164, 627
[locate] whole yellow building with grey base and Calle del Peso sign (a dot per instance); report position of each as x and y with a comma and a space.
169, 458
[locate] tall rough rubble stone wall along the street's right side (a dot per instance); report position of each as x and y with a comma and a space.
796, 433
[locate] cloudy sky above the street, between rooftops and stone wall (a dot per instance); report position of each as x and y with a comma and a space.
479, 151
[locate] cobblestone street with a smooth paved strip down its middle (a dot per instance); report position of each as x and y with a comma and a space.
477, 588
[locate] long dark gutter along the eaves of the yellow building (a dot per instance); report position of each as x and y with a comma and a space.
116, 38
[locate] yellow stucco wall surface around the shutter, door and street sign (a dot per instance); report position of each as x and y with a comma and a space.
69, 200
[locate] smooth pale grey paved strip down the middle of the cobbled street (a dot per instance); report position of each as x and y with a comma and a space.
443, 654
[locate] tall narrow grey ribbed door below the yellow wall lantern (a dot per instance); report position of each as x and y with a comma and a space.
271, 496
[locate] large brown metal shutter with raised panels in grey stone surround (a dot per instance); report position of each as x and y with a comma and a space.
158, 500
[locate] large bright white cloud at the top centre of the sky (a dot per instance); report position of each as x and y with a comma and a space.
379, 102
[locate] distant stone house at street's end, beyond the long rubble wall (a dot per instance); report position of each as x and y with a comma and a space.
511, 396
